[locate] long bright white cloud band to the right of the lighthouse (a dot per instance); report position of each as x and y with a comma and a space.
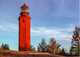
63, 33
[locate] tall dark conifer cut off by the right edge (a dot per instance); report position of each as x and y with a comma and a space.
75, 48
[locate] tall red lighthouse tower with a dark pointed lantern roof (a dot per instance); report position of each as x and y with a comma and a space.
24, 28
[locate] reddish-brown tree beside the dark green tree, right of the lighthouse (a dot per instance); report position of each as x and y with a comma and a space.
53, 46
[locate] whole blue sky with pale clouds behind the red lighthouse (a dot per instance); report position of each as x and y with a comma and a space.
49, 19
